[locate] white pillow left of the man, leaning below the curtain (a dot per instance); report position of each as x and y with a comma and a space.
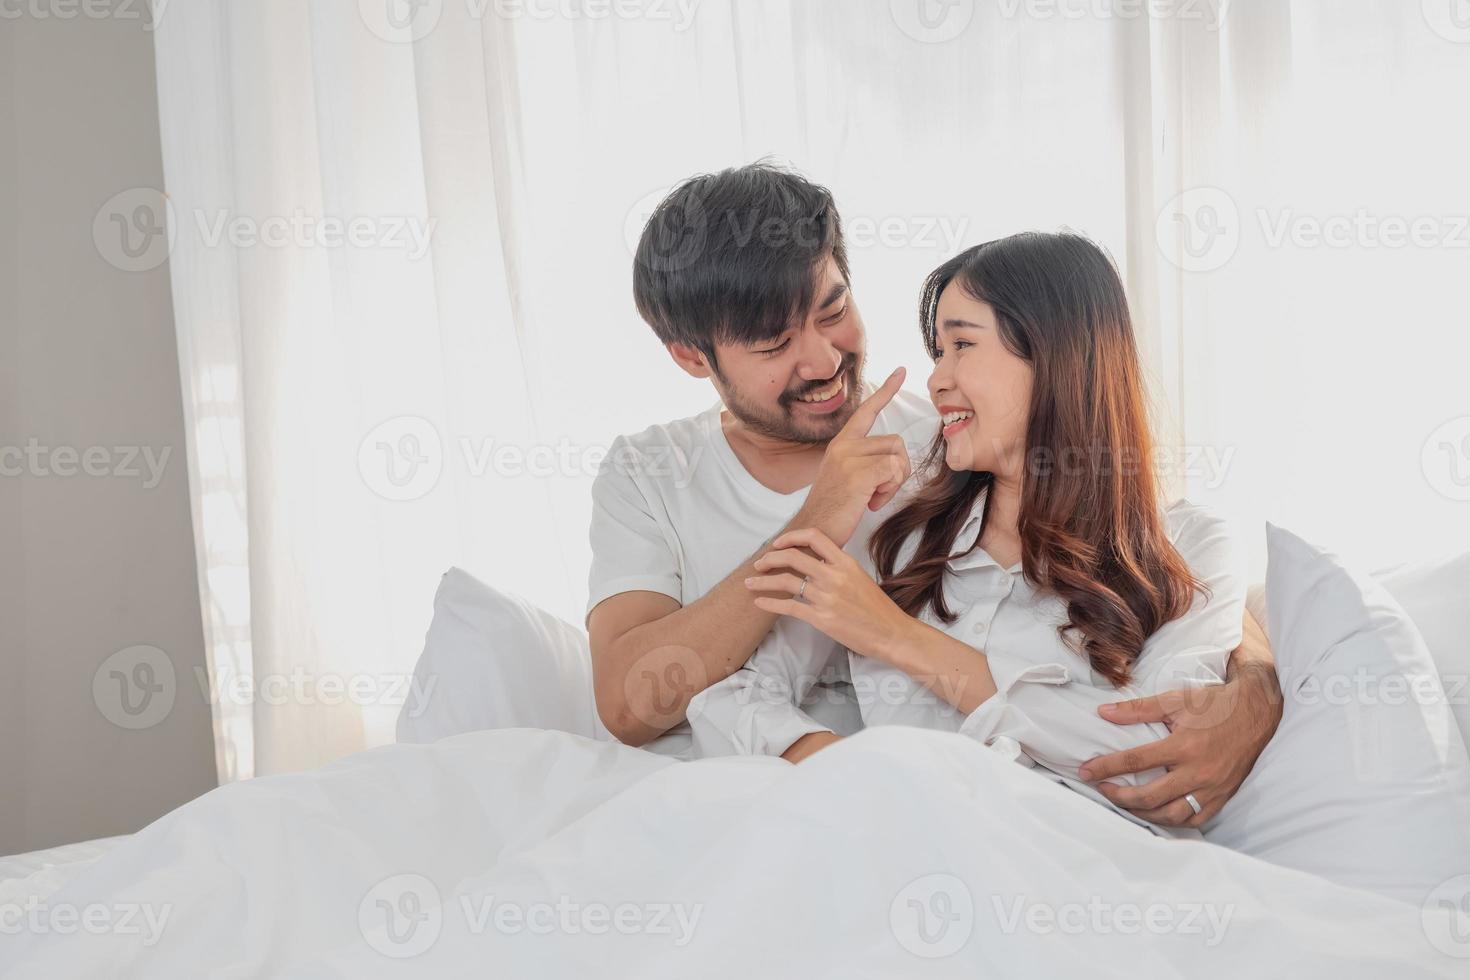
498, 662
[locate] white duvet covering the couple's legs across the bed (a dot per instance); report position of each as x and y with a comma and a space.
520, 853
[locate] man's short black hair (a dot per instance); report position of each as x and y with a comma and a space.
730, 258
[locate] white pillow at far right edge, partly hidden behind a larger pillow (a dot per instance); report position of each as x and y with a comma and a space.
1437, 597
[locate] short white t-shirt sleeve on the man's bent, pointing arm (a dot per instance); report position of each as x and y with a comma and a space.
631, 541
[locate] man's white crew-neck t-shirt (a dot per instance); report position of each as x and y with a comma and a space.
675, 512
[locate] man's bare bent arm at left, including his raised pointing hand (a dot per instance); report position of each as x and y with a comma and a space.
652, 656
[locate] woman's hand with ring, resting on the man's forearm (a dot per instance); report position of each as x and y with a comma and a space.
839, 597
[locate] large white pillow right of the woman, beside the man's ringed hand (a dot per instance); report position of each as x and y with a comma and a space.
1366, 782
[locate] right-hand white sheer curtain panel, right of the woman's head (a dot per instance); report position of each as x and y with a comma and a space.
1322, 311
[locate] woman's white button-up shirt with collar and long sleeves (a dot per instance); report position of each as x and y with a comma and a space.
1044, 712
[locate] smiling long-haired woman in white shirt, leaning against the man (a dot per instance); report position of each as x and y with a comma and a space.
1034, 574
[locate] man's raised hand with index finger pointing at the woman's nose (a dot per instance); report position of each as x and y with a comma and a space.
859, 471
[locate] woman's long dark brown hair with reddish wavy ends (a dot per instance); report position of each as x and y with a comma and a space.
1091, 527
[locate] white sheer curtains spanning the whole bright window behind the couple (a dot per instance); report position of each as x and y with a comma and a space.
437, 390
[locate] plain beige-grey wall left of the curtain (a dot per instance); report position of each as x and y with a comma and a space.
89, 565
